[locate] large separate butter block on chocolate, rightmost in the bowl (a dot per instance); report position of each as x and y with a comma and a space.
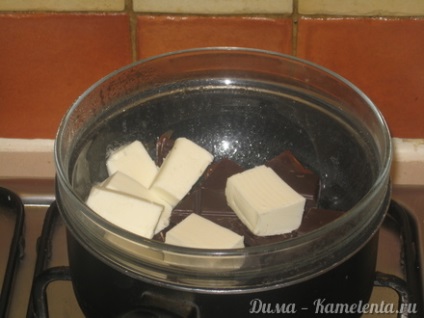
264, 202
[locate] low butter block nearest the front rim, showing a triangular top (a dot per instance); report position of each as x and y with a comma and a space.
197, 232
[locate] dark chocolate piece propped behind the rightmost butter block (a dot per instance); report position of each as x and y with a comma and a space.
301, 179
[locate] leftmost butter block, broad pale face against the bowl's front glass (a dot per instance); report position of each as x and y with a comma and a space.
126, 211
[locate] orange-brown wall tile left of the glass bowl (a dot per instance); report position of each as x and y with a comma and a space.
48, 60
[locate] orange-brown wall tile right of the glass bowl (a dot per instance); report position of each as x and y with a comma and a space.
383, 57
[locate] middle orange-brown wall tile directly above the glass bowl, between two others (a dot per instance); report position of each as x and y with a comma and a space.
160, 34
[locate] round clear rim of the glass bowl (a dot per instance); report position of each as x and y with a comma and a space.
381, 179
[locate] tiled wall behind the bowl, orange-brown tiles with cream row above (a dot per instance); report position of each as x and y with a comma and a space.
52, 50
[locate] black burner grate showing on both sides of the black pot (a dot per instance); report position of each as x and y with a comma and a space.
408, 289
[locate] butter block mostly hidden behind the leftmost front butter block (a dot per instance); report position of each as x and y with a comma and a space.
122, 183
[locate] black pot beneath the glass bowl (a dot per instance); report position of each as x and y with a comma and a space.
103, 291
